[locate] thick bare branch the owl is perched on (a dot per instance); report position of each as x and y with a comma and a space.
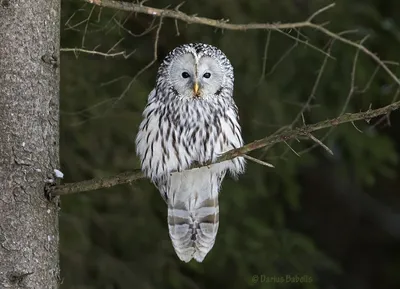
283, 136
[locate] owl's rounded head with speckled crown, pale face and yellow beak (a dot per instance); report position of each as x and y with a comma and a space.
196, 71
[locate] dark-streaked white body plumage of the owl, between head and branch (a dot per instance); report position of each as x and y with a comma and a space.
174, 135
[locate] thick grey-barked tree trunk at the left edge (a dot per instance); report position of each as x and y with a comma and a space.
29, 140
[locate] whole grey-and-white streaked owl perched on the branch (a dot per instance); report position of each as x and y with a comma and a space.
190, 119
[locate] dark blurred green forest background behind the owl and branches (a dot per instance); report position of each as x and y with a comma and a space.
332, 219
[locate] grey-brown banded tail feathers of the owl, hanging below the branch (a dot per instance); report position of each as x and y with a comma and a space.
193, 229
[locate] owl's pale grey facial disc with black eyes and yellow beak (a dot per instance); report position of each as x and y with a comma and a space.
194, 78
